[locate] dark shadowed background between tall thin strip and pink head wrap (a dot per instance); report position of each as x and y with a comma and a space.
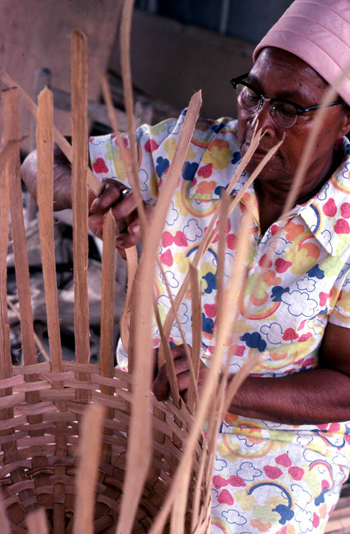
179, 46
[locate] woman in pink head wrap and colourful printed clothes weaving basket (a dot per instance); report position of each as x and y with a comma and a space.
284, 447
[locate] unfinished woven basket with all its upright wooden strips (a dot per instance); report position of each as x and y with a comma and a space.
137, 465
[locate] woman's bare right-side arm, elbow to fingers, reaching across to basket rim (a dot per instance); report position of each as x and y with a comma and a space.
315, 396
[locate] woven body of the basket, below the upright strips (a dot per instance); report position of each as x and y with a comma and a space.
39, 440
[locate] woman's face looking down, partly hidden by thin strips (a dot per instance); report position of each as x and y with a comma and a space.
277, 73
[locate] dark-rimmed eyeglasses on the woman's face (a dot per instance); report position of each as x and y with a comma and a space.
284, 112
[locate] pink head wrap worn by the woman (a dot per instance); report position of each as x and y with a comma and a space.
318, 32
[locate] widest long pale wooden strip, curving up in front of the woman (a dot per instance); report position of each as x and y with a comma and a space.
137, 464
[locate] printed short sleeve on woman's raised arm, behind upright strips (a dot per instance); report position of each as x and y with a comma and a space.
213, 152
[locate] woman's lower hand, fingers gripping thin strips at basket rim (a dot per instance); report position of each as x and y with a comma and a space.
161, 385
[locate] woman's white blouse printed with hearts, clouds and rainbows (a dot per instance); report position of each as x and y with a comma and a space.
307, 282
